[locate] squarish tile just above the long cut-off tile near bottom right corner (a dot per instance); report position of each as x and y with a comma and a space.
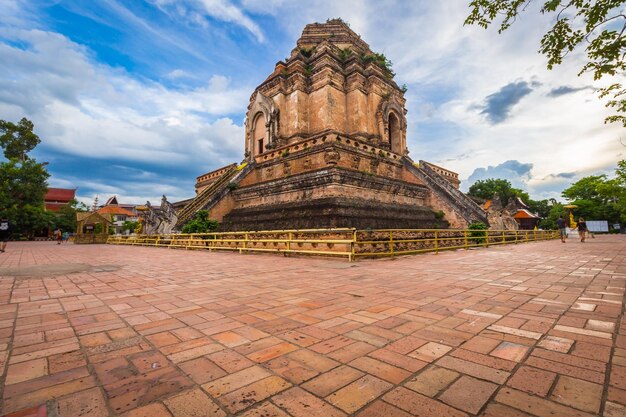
577, 393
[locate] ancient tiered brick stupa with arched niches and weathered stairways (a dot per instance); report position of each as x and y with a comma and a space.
325, 146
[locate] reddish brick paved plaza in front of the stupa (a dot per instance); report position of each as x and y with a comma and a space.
534, 329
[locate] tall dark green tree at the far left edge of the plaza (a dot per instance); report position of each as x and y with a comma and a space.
23, 181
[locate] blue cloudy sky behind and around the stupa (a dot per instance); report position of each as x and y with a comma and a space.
137, 98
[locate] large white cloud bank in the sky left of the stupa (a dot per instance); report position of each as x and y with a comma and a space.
89, 109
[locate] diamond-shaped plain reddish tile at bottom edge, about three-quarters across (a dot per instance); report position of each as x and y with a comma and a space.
468, 394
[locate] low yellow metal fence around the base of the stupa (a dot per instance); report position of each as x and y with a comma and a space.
350, 243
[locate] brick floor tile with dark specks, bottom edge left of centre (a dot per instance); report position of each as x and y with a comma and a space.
253, 393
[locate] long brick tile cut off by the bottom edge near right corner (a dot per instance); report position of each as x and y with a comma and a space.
535, 405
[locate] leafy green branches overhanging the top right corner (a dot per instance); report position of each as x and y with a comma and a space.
599, 26
